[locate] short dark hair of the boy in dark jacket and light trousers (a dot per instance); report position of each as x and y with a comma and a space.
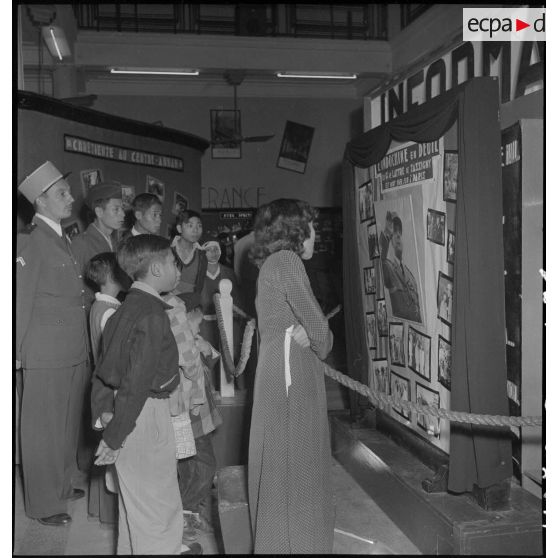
137, 253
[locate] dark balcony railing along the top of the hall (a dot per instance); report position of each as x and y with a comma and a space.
328, 21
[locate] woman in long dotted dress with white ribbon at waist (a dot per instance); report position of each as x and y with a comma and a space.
289, 466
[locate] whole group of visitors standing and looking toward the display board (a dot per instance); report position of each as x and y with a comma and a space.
149, 392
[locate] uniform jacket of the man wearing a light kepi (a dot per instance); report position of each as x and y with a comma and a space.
51, 326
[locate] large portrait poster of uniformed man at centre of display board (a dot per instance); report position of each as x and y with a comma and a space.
400, 249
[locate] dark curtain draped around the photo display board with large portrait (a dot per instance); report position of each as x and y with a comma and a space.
478, 455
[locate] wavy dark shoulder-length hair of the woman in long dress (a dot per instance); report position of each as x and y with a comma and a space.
282, 224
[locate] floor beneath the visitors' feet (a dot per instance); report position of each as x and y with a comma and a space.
358, 520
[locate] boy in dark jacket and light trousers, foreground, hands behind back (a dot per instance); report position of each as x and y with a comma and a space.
136, 372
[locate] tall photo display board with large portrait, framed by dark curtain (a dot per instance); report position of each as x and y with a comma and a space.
406, 240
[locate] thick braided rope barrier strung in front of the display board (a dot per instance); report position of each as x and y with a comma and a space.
373, 395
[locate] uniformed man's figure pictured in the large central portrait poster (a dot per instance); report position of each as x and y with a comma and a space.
398, 278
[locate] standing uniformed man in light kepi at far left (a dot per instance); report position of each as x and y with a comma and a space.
51, 347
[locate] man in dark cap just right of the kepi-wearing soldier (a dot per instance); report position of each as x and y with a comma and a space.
105, 200
